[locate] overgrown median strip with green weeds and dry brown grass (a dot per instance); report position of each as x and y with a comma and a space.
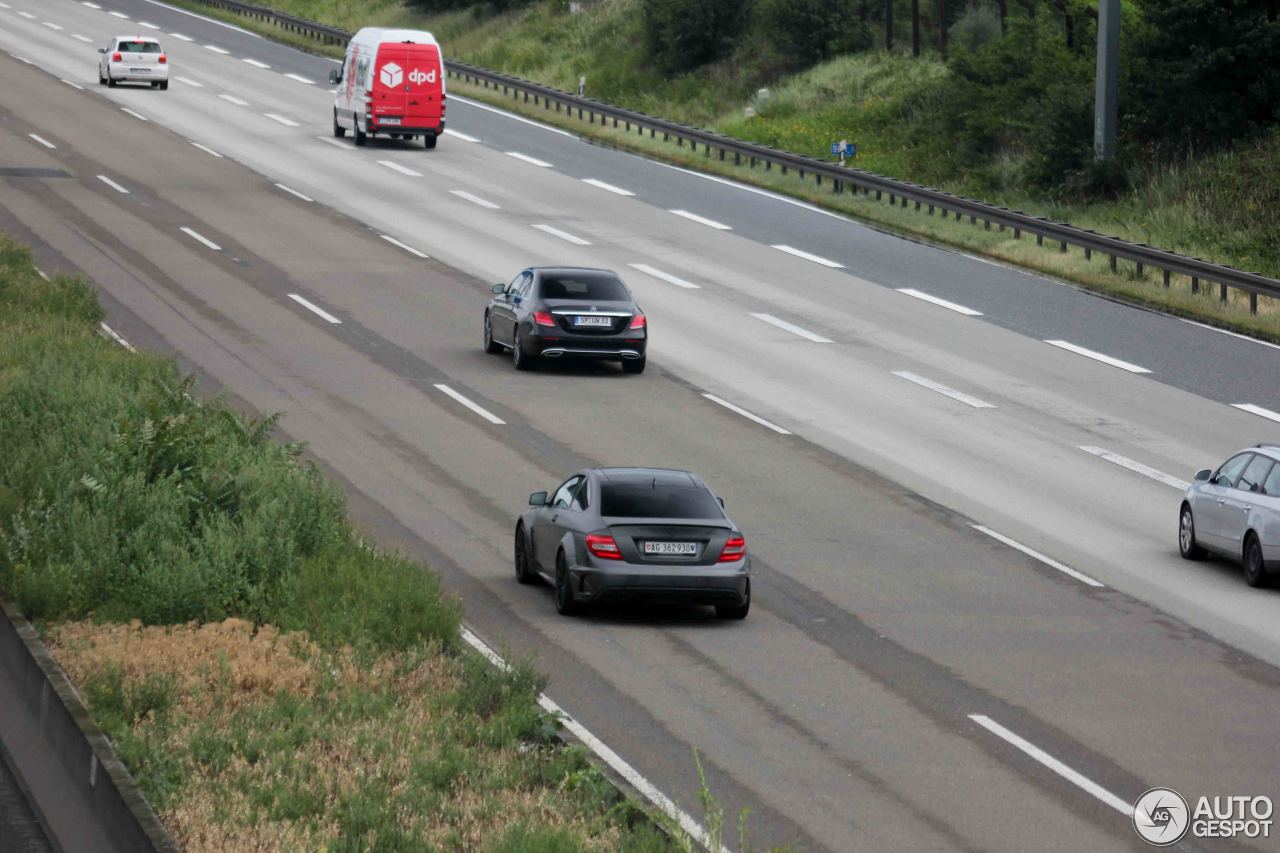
271, 682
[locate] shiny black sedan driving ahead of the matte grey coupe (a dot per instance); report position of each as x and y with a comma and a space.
566, 313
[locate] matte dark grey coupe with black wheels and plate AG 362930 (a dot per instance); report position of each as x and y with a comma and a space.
634, 535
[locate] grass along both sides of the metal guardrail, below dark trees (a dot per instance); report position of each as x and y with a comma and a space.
1213, 207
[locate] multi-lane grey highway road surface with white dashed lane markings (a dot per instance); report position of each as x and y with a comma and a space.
909, 678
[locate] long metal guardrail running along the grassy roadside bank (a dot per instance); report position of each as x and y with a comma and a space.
840, 179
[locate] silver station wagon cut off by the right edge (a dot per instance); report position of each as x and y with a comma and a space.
1236, 513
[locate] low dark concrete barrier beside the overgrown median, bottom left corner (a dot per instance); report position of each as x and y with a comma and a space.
81, 792
